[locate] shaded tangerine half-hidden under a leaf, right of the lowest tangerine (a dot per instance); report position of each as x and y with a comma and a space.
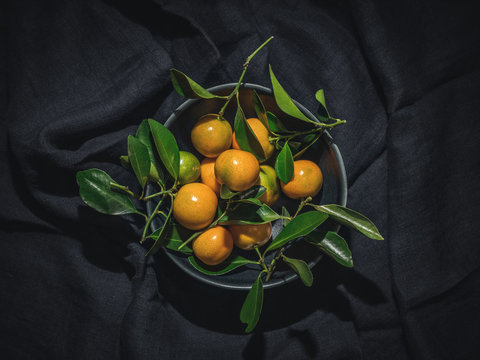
246, 236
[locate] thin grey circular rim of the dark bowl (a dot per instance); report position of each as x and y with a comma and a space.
343, 187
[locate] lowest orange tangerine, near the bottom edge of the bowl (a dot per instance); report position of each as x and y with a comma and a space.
213, 246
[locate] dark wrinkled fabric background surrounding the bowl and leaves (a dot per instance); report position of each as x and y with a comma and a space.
79, 76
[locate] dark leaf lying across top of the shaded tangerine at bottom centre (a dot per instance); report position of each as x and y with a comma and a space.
249, 214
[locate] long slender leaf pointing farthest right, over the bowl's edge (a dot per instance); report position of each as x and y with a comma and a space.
351, 219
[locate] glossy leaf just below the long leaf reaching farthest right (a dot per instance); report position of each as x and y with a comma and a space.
333, 245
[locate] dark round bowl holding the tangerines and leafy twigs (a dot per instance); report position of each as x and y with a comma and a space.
324, 152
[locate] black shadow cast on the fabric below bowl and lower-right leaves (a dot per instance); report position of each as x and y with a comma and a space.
218, 309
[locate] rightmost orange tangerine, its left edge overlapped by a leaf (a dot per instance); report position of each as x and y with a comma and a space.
307, 180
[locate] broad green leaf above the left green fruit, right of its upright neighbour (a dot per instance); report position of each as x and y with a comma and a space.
167, 147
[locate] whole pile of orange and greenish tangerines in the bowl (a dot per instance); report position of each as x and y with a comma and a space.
195, 204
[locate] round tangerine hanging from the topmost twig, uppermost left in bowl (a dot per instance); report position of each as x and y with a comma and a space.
211, 135
